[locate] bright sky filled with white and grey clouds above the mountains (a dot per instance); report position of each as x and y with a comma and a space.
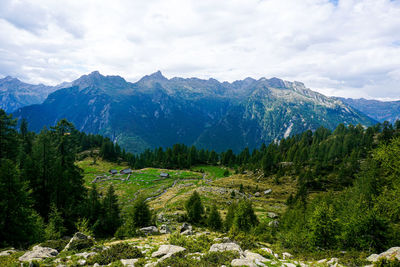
348, 48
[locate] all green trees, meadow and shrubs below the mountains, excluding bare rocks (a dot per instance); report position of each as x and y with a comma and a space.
314, 195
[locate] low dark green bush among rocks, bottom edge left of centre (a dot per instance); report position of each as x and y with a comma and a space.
115, 253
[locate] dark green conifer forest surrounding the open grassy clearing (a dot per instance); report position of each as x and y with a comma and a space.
345, 196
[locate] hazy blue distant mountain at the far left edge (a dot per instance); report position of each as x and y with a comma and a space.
15, 94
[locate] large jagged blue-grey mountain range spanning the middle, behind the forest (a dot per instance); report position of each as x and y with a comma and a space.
156, 111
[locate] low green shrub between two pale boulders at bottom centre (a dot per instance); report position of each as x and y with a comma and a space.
192, 244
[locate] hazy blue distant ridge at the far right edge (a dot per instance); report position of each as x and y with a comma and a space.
378, 110
